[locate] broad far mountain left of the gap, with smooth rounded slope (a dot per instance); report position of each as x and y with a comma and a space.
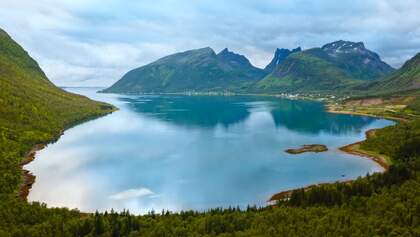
193, 70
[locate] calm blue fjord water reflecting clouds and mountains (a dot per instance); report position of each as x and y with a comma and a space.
195, 152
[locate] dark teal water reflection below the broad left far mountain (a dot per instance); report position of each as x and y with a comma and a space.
203, 111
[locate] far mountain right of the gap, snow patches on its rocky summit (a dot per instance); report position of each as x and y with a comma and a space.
336, 66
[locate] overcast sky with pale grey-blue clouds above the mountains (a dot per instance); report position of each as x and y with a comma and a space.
94, 42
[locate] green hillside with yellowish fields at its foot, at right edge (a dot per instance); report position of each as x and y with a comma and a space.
396, 96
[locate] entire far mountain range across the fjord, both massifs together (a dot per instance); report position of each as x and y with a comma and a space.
337, 66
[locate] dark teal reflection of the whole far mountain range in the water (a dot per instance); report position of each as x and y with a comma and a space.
208, 111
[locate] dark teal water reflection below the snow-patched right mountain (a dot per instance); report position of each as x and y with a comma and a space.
311, 117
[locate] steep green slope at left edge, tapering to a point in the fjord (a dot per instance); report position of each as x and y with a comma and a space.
32, 110
